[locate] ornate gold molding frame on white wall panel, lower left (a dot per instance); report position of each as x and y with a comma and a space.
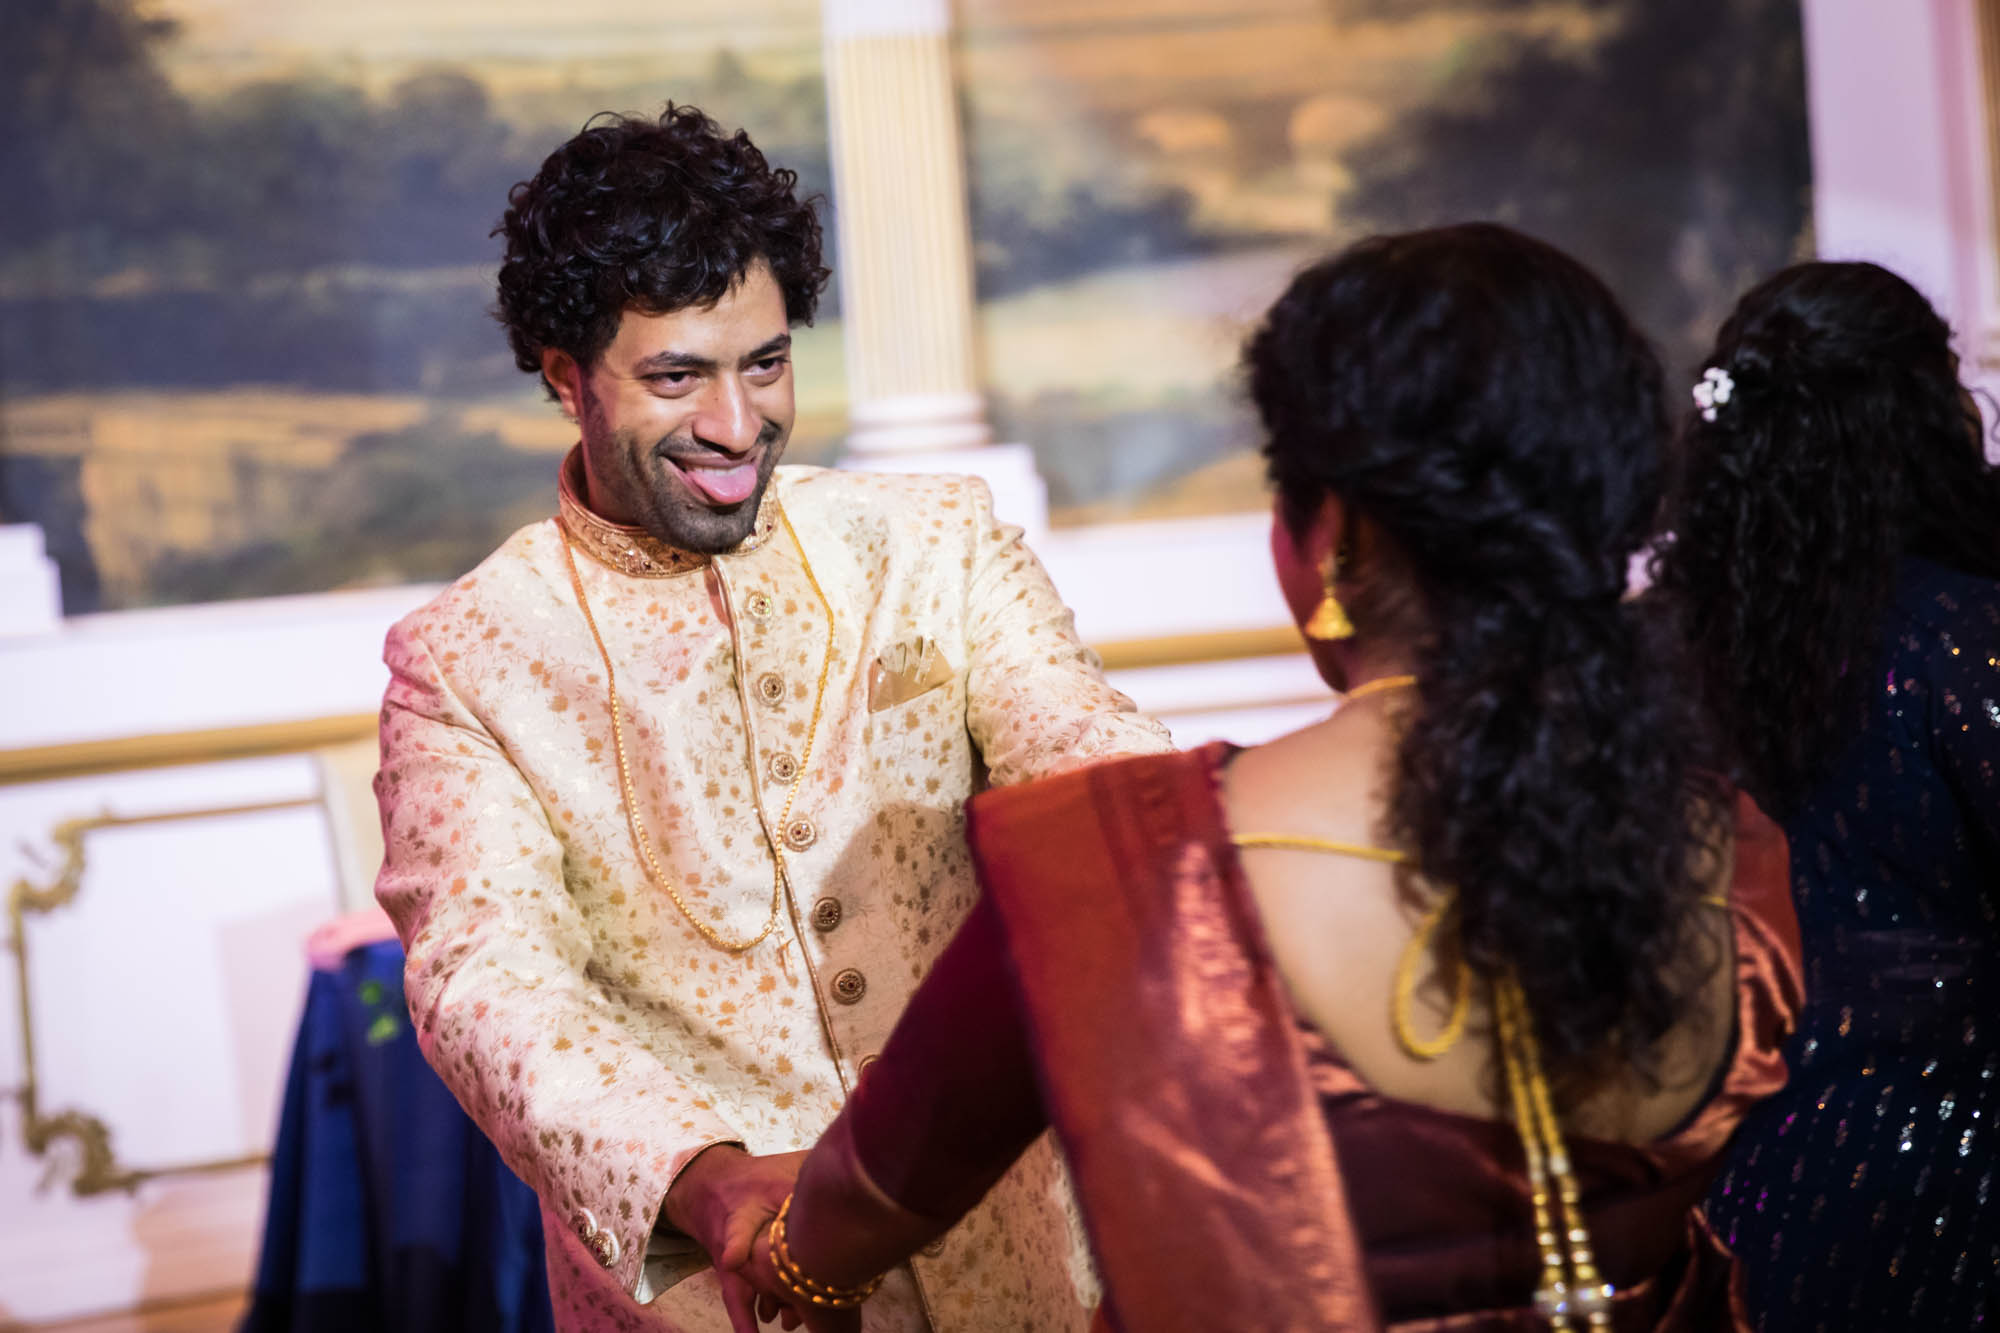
97, 1168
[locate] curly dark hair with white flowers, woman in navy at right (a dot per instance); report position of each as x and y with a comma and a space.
1847, 443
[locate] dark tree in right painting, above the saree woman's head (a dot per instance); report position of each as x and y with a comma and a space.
1671, 155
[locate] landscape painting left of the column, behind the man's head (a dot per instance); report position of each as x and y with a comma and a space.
245, 337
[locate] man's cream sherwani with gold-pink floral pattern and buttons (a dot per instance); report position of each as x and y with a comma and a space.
593, 1034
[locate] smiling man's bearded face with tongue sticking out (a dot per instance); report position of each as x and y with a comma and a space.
685, 415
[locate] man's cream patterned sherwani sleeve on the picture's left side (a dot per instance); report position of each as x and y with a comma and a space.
497, 980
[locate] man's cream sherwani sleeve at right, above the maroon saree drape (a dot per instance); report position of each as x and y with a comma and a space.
1037, 700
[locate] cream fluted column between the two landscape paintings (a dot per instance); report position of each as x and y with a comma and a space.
907, 299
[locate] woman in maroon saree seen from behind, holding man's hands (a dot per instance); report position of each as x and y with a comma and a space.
1251, 1050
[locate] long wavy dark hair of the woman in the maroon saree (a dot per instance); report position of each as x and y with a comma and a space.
1487, 405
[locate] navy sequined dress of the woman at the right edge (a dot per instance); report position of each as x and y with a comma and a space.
1863, 1198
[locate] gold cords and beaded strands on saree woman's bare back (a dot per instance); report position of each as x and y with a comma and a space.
1571, 1292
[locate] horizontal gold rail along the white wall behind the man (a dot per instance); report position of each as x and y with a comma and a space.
43, 764
